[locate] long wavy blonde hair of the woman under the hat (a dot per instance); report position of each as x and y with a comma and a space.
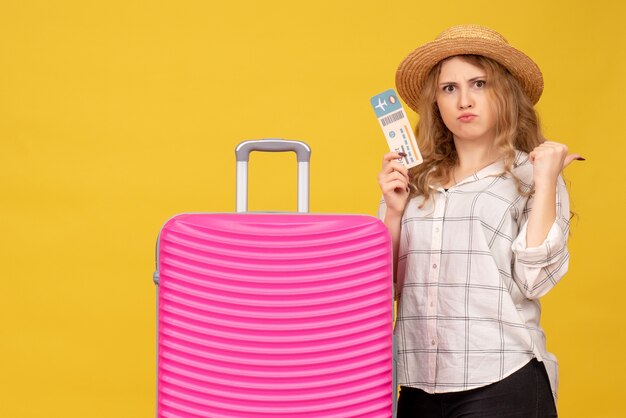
517, 126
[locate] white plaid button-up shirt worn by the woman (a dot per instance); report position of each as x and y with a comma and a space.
468, 312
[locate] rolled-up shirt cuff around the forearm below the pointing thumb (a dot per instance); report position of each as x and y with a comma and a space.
544, 253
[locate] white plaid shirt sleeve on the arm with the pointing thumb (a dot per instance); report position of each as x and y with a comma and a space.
538, 269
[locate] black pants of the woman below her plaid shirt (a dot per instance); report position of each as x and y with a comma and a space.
524, 394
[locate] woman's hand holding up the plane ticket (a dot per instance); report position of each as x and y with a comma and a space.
394, 183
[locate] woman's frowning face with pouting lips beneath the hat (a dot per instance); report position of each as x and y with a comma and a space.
465, 102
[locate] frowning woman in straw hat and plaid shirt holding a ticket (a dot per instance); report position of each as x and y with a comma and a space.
479, 232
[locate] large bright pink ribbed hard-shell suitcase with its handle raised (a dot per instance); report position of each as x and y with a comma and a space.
274, 314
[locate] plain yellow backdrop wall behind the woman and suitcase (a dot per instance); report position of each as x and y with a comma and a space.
116, 115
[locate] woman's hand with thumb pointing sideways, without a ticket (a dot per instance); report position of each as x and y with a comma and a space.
548, 160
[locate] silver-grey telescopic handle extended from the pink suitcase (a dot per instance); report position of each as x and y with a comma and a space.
303, 153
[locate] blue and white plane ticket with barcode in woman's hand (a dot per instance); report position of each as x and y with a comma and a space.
396, 127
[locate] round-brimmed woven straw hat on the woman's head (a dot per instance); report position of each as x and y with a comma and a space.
463, 40
